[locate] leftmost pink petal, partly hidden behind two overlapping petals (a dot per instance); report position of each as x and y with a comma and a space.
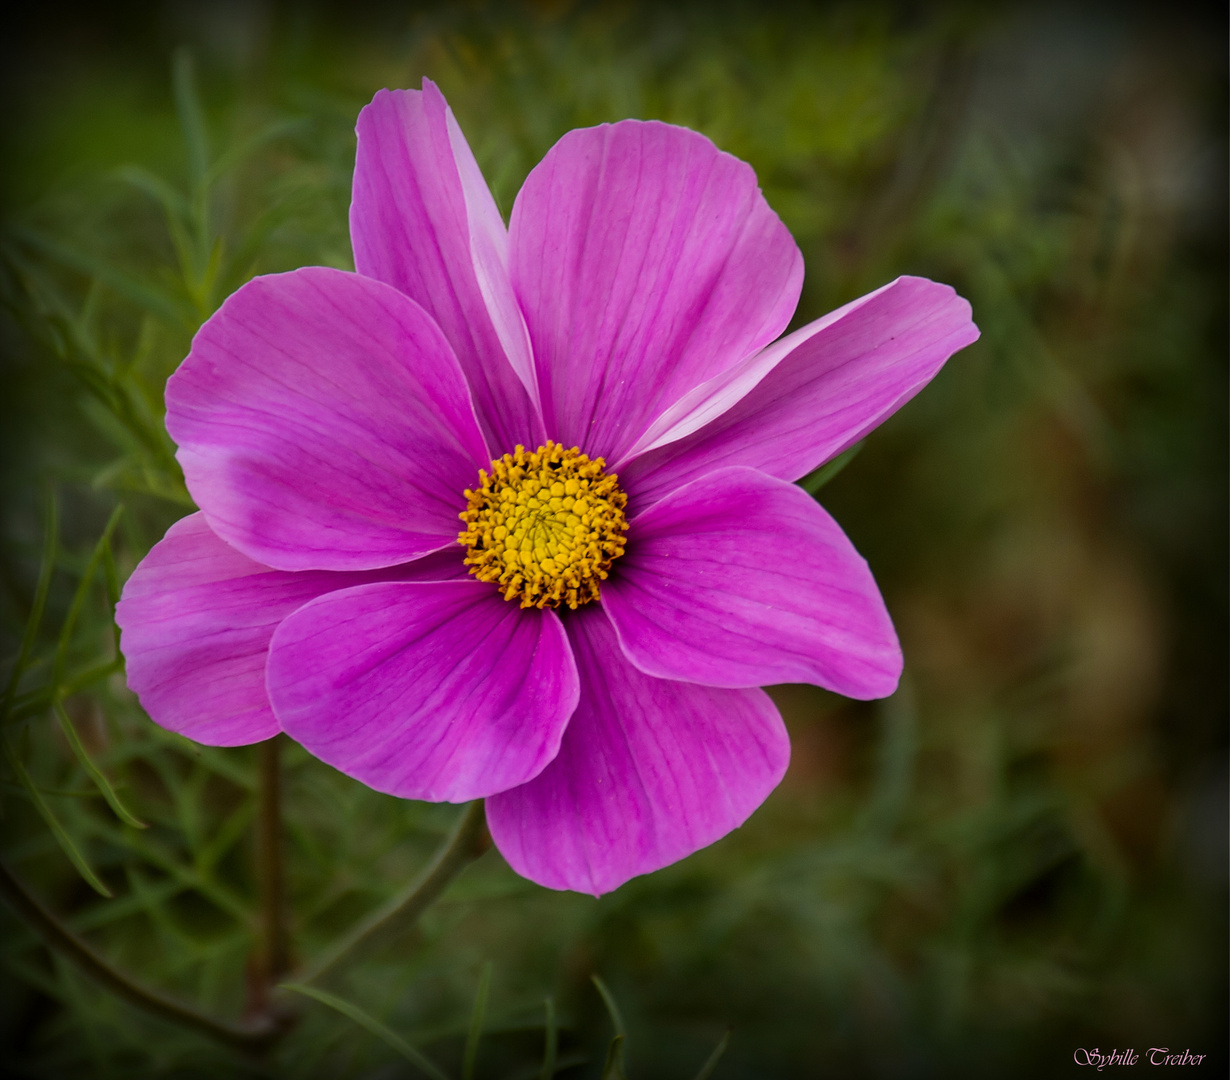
197, 618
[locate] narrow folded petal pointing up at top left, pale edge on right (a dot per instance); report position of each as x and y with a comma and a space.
424, 221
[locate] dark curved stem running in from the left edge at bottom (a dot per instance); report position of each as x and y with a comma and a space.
55, 934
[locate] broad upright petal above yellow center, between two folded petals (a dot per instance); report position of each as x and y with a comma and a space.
646, 263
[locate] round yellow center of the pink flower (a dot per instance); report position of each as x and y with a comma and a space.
546, 526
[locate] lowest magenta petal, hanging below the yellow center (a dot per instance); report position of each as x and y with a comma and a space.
650, 772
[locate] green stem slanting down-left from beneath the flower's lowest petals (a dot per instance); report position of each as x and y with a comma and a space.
468, 841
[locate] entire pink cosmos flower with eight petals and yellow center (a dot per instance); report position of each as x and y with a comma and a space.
336, 427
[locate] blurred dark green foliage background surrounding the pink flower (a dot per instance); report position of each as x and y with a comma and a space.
1022, 854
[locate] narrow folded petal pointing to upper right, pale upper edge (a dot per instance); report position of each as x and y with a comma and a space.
810, 397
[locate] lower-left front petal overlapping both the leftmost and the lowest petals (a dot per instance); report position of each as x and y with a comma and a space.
440, 692
